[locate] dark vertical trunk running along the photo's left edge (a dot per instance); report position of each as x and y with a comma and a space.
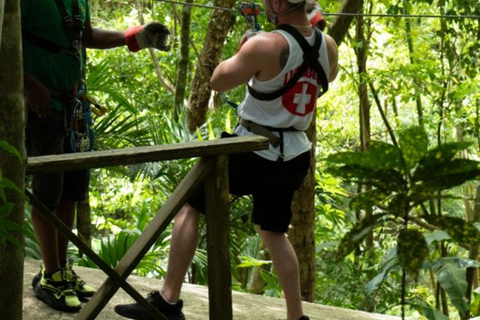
12, 123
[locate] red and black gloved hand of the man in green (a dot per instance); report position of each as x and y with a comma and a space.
151, 35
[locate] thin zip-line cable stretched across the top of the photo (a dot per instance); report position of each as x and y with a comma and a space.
380, 15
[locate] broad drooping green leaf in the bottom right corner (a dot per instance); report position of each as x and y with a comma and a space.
452, 279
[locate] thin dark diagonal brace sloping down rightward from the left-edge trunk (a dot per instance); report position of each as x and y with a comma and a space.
60, 226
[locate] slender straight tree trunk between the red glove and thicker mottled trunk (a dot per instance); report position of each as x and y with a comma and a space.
183, 60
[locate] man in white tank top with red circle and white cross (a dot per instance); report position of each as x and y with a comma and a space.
265, 62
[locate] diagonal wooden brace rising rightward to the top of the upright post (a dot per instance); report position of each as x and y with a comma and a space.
147, 239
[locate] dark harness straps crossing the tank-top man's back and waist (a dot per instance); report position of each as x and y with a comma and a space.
310, 60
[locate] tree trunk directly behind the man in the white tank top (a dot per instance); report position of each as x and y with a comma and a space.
302, 233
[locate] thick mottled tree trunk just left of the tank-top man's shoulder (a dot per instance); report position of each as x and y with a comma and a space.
218, 28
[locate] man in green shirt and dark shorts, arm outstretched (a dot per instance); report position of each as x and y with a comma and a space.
54, 32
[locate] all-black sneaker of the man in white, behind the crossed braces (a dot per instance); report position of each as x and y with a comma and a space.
136, 311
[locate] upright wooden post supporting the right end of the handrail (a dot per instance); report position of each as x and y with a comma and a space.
218, 231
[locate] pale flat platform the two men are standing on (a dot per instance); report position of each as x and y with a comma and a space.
245, 306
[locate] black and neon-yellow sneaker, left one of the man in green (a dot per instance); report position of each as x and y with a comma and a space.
56, 292
